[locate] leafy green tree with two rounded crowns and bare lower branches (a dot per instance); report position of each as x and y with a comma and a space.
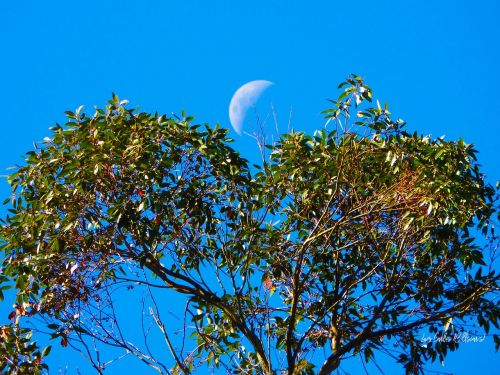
352, 241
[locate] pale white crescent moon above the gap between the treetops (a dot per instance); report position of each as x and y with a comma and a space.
245, 97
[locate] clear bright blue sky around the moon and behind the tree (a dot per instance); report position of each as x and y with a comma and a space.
437, 63
